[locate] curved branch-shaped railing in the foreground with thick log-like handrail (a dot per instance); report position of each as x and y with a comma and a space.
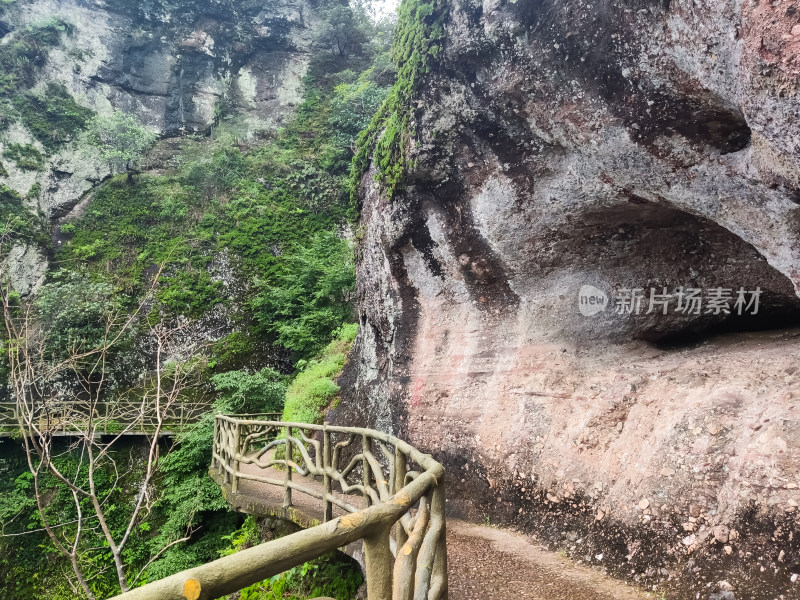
388, 494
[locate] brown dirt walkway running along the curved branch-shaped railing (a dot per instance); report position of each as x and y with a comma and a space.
484, 563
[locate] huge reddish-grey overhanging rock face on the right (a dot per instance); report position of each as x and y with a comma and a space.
624, 145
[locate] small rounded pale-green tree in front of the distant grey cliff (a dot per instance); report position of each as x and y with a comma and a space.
123, 141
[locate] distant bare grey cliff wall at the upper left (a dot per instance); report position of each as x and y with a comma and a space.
174, 64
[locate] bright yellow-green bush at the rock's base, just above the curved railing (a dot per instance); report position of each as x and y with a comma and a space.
314, 388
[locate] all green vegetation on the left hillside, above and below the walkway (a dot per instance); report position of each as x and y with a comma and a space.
242, 242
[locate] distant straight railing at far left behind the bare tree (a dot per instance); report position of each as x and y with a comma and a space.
74, 417
